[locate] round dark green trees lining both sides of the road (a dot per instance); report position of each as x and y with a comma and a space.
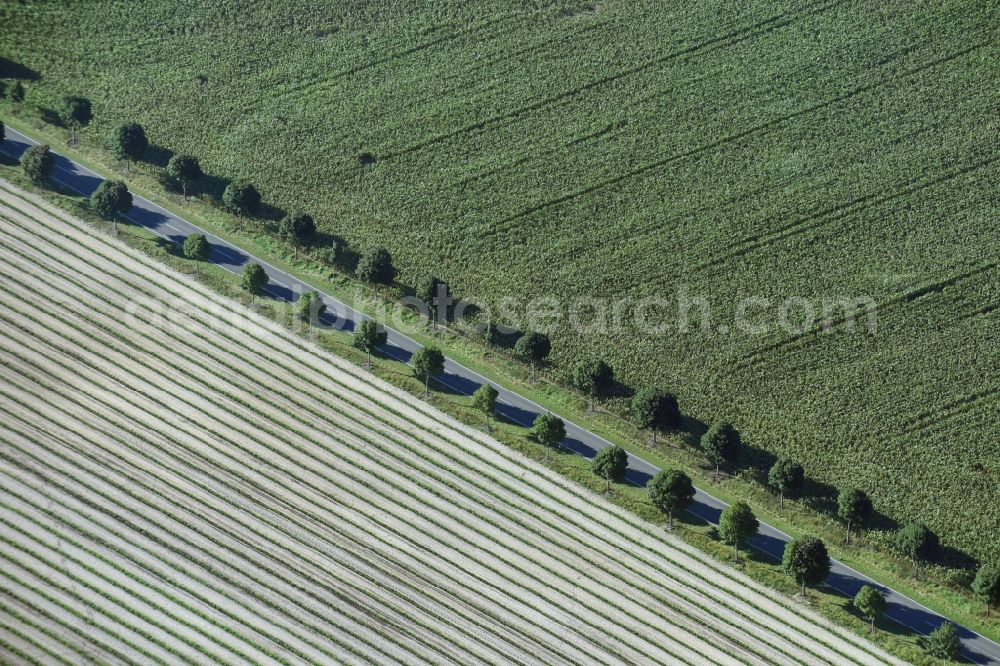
652, 408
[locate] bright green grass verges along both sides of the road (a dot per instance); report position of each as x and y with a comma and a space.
670, 452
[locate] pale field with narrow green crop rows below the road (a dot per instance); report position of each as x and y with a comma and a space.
185, 481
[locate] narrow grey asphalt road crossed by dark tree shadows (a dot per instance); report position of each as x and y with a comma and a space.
511, 405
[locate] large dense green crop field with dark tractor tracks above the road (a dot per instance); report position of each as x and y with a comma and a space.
627, 149
